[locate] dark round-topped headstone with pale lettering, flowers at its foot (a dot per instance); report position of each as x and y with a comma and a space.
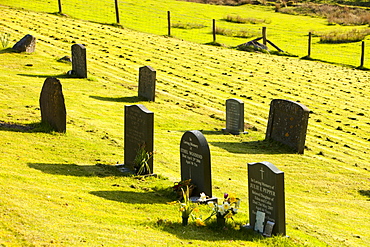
195, 159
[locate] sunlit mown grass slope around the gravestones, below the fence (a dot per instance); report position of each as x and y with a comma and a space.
61, 190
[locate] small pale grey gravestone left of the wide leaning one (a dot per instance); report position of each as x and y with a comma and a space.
234, 117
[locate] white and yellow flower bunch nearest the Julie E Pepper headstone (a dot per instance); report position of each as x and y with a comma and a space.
226, 210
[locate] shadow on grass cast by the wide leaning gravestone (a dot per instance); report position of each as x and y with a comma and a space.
254, 147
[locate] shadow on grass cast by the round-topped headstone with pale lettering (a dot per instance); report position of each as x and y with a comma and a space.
131, 196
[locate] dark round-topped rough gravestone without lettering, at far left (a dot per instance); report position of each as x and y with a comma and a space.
53, 110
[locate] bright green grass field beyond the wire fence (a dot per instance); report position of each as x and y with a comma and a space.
288, 32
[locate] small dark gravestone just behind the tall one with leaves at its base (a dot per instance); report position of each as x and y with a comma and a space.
147, 77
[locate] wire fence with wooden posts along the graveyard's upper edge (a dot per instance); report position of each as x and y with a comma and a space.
153, 18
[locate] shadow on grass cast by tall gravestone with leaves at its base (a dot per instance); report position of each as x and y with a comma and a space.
98, 170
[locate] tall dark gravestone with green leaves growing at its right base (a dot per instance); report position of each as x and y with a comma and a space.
138, 131
